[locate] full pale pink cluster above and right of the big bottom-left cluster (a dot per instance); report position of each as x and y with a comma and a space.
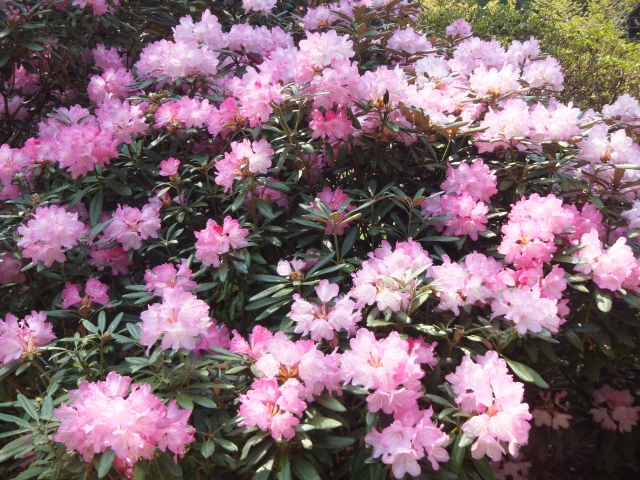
181, 319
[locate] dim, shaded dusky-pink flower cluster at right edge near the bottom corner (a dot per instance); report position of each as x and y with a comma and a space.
618, 412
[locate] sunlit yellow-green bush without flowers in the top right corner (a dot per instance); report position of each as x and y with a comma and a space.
589, 40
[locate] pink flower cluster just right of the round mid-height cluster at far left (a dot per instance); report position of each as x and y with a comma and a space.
131, 225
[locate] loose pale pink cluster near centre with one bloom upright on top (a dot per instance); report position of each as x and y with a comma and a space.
324, 321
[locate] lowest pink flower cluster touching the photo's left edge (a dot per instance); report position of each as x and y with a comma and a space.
19, 339
